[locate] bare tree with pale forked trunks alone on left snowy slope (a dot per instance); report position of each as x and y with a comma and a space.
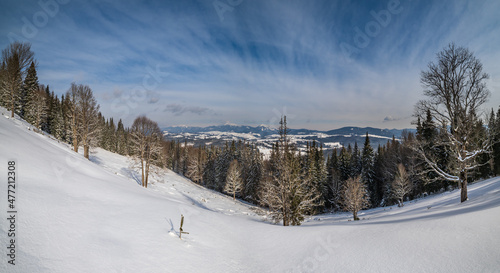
146, 136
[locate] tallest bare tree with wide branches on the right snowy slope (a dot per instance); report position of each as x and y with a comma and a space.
456, 89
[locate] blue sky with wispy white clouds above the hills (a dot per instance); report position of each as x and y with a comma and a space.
324, 64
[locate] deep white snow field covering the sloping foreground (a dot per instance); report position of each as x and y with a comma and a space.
75, 215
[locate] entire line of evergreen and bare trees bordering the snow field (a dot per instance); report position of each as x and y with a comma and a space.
453, 144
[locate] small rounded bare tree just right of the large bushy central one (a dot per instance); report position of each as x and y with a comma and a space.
355, 196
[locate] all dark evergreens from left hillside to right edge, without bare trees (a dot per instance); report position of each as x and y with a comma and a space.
209, 166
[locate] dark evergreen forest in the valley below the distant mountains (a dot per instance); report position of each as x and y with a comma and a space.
328, 172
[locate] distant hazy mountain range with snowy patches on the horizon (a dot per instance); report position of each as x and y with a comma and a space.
264, 136
